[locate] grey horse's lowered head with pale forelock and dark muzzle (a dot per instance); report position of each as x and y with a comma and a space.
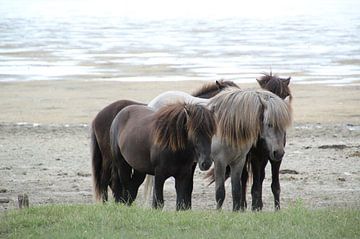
277, 116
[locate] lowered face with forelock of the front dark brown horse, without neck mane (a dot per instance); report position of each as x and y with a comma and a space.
201, 128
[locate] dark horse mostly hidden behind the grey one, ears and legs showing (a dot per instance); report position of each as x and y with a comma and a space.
257, 158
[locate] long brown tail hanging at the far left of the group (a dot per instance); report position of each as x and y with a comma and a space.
96, 165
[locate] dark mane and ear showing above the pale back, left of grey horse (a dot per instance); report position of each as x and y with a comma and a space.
211, 89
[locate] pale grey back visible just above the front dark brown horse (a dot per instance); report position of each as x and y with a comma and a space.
173, 97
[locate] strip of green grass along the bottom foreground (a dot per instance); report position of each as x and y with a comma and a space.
116, 221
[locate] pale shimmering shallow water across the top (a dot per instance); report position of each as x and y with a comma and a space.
43, 43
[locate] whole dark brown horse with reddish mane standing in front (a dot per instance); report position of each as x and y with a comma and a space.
163, 143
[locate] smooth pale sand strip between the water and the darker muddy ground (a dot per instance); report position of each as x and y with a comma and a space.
77, 102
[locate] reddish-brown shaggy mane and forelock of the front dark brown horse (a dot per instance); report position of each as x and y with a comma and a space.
175, 123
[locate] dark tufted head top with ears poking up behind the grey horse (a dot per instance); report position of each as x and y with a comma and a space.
278, 86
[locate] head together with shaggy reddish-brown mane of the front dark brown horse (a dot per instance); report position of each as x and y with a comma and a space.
183, 127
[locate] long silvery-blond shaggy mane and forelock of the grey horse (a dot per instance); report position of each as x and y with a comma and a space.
240, 114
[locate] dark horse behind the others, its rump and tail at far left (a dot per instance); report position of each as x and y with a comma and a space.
103, 174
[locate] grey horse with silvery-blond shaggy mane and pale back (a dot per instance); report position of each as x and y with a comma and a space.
244, 124
